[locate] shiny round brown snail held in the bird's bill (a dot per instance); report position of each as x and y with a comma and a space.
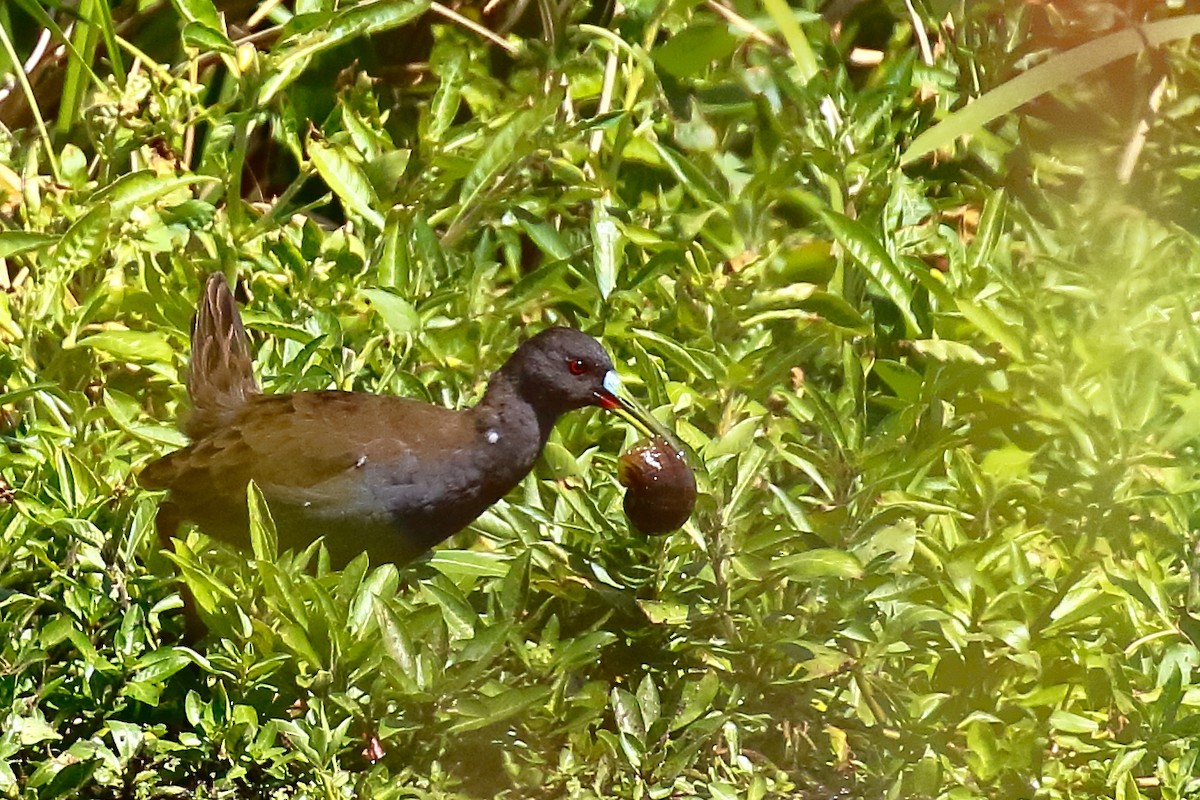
661, 488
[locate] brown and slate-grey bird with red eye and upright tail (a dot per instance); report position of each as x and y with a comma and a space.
392, 477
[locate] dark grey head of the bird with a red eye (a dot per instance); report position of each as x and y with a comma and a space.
563, 369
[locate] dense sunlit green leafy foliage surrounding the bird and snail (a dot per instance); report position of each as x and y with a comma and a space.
943, 416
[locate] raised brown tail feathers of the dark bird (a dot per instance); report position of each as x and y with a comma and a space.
220, 377
